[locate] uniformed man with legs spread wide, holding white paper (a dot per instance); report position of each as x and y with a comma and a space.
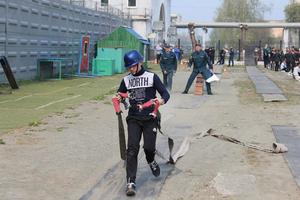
200, 60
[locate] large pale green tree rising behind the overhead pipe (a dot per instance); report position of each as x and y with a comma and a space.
240, 11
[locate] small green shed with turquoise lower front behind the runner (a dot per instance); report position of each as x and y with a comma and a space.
111, 49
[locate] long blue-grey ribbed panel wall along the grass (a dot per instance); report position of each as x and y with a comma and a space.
33, 29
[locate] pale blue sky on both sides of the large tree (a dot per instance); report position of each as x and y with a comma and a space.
189, 9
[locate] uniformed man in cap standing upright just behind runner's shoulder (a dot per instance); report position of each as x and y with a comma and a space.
168, 65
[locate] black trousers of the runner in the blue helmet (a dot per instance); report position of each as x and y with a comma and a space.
136, 128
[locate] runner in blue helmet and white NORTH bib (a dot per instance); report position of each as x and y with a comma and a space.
141, 87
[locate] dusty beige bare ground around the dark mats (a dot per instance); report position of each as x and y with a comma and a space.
67, 155
